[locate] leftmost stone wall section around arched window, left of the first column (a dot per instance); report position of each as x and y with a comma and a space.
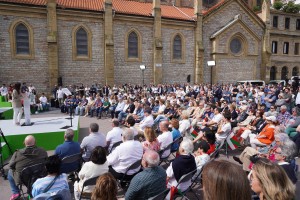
33, 71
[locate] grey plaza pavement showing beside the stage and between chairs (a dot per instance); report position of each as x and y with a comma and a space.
105, 126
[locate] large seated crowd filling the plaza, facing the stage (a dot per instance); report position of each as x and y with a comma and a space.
191, 122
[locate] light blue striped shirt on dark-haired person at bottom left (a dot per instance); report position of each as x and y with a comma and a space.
40, 184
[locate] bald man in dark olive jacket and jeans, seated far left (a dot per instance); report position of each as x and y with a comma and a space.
22, 158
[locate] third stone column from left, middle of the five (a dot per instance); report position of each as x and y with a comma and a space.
157, 44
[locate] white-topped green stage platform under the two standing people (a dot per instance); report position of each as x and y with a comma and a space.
47, 131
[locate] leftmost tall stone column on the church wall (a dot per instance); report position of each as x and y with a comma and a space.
52, 44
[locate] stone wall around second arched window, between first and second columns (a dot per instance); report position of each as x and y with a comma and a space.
76, 71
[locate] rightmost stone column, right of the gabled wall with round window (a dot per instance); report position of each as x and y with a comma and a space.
266, 50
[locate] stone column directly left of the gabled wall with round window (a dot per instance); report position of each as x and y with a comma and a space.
199, 51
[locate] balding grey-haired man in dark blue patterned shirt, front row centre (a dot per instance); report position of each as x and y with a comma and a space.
150, 182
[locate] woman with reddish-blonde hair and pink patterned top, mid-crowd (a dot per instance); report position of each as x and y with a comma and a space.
151, 142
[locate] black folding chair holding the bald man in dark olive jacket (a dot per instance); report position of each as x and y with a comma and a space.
29, 175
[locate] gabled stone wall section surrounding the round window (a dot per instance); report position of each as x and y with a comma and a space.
215, 22
